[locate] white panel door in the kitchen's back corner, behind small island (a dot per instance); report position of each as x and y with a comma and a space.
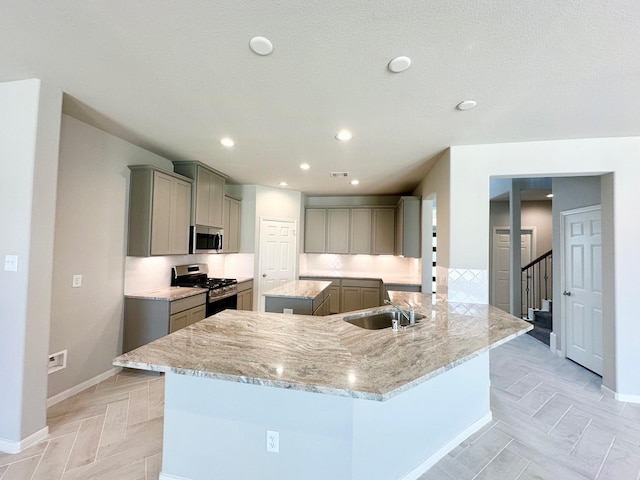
277, 254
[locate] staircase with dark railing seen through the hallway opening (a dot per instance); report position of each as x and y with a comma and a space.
537, 296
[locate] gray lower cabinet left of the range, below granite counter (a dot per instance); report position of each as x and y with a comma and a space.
146, 319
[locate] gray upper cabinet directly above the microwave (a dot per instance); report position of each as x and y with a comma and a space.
208, 195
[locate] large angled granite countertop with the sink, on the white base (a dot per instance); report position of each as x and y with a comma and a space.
327, 354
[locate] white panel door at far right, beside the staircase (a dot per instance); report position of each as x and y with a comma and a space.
582, 287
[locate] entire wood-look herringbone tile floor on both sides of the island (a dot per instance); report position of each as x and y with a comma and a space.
550, 422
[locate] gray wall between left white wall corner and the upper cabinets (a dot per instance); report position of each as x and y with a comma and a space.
90, 239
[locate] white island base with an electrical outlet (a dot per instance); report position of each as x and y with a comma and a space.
216, 429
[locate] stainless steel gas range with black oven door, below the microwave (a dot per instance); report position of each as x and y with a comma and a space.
223, 292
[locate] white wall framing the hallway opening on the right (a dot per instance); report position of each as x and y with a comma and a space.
471, 168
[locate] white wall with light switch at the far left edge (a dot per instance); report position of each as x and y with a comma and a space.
29, 135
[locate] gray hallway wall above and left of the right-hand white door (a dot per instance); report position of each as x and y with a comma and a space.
568, 193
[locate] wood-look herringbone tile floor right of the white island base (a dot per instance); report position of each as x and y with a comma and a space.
550, 421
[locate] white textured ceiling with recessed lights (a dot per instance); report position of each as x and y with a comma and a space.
176, 76
